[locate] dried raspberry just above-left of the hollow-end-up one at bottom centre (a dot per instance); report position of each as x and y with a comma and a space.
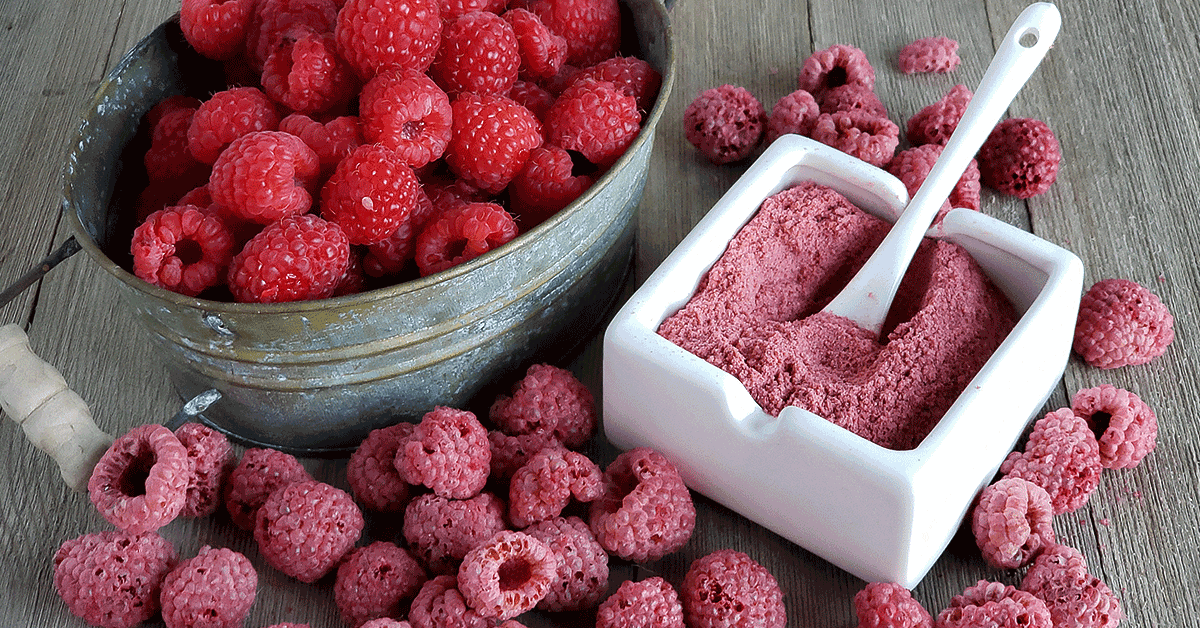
441, 533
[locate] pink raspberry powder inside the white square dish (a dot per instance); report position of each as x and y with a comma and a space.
758, 316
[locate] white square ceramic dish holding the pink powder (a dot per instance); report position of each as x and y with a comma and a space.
880, 515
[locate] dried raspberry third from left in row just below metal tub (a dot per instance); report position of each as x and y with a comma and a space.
257, 476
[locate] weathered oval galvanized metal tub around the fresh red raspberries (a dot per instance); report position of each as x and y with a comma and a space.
319, 376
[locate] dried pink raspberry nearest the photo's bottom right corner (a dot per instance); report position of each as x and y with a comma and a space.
1076, 599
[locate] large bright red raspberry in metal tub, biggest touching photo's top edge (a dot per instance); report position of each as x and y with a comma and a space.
377, 35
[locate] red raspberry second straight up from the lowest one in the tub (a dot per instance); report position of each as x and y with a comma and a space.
226, 117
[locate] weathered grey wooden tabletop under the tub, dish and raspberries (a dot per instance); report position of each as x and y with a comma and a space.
1119, 89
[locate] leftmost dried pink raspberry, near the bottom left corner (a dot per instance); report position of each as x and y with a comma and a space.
112, 579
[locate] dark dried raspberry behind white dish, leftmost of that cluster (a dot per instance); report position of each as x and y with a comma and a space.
725, 124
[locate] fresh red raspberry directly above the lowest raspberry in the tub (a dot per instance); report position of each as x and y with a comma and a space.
266, 176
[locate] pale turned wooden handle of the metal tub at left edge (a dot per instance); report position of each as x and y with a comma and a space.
56, 420
